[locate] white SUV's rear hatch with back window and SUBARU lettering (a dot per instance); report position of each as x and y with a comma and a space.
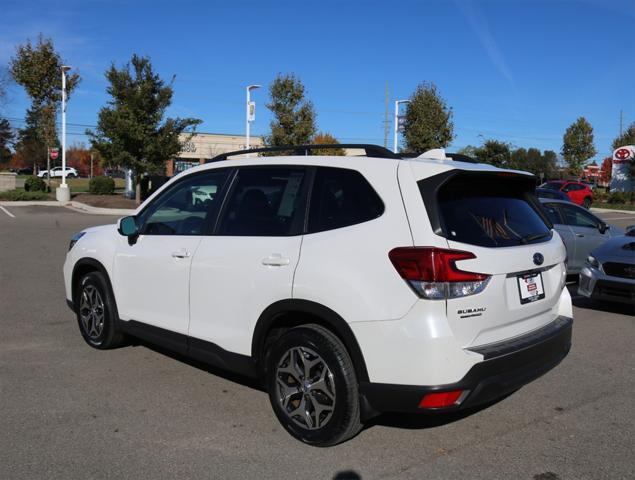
495, 217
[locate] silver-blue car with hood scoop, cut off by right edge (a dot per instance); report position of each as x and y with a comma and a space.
609, 273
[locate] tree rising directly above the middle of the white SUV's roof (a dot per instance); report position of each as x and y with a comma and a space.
294, 115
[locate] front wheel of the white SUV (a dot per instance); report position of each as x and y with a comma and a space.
97, 313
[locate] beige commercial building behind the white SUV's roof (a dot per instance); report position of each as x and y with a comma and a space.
204, 146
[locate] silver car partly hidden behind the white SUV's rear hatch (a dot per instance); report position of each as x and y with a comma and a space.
580, 230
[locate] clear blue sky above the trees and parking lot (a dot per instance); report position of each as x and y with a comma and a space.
517, 71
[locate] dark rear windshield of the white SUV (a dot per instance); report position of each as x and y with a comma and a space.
489, 212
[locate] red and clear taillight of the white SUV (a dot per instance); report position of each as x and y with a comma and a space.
432, 272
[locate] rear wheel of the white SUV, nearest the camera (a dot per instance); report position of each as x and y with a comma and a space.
313, 387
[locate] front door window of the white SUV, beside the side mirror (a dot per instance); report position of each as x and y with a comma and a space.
184, 209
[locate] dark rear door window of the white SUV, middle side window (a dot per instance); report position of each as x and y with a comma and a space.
264, 202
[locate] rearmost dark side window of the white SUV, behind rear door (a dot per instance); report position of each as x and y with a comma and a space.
340, 198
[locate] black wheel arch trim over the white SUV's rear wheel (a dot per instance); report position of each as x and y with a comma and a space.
289, 313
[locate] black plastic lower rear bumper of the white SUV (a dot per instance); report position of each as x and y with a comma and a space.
506, 367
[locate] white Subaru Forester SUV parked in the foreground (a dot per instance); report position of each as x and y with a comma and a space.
350, 285
